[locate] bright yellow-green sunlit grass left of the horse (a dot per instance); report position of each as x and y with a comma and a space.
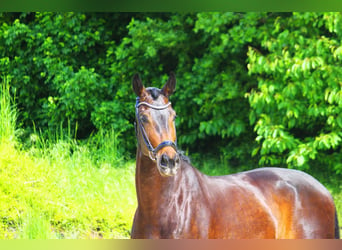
60, 187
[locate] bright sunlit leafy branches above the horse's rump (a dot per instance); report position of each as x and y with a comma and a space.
296, 108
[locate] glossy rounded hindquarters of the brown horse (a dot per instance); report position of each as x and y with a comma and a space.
299, 205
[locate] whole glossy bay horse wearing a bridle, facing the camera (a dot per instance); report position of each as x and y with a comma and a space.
177, 201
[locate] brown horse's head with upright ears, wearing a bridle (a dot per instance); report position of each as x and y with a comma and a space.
155, 126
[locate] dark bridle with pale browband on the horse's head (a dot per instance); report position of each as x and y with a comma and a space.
138, 124
